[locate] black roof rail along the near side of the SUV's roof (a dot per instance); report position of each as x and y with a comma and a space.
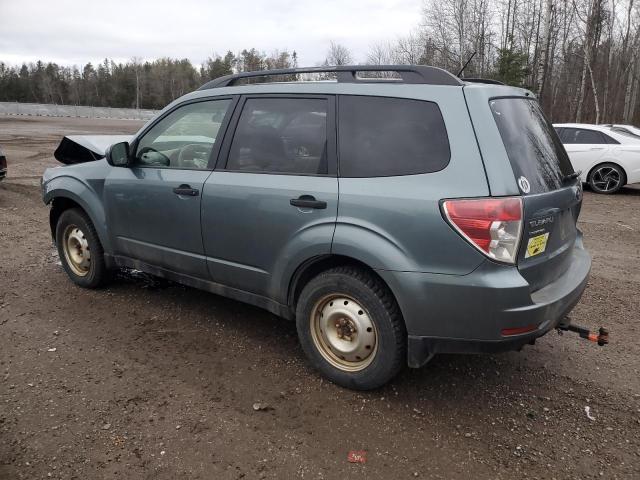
416, 74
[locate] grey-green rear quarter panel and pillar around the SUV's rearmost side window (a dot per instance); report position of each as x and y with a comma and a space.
395, 223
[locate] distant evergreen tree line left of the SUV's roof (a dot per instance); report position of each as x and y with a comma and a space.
134, 84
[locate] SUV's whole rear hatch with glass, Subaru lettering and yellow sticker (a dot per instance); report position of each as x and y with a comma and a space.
551, 194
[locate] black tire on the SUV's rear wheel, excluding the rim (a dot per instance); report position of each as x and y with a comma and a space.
389, 355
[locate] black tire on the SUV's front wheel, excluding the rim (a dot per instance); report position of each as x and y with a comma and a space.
96, 274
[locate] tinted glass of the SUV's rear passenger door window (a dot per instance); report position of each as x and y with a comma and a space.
281, 135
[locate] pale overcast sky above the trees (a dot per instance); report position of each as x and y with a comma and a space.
77, 31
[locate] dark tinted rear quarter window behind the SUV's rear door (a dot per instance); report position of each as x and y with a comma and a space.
381, 137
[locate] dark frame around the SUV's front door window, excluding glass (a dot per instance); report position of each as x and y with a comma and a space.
215, 151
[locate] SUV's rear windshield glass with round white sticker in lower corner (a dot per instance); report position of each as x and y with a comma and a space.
533, 147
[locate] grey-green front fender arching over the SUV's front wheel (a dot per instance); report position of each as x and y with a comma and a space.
73, 189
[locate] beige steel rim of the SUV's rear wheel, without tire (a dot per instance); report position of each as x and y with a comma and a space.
343, 332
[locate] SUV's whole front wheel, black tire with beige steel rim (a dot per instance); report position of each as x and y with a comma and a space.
80, 249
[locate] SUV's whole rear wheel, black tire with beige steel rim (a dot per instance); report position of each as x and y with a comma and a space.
351, 329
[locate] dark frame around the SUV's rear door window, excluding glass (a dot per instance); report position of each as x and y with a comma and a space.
332, 141
